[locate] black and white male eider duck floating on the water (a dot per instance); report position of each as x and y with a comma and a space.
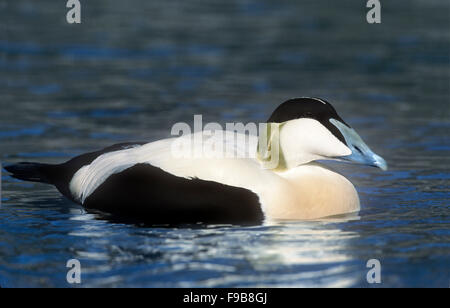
145, 182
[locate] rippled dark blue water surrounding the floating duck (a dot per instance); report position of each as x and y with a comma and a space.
133, 68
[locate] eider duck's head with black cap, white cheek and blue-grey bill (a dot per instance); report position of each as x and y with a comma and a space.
306, 129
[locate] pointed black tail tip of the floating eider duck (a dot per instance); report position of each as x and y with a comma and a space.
32, 172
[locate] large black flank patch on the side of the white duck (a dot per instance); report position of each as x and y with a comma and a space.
144, 193
